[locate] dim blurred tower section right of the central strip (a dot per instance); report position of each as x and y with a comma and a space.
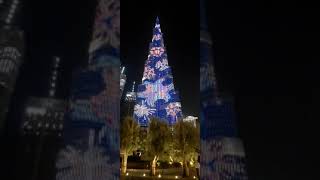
222, 152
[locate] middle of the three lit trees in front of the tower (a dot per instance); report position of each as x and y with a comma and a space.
157, 144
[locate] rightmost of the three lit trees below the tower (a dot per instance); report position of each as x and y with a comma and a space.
185, 143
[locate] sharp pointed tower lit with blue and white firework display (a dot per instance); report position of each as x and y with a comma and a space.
156, 96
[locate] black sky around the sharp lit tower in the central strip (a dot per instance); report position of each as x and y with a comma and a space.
181, 37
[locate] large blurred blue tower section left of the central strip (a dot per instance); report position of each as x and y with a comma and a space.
92, 126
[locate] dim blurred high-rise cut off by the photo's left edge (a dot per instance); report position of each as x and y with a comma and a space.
11, 54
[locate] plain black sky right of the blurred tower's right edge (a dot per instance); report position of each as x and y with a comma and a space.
266, 56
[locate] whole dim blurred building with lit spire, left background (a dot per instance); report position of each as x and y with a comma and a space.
42, 127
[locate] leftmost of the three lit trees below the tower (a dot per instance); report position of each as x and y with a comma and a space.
129, 140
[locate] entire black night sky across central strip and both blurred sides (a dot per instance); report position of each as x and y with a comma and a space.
266, 57
